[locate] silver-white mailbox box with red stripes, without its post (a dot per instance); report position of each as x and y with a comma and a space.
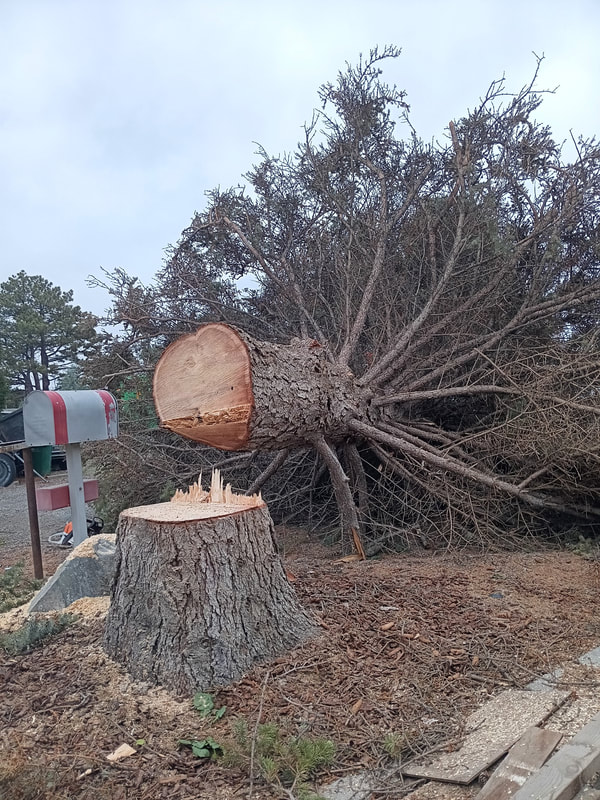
68, 417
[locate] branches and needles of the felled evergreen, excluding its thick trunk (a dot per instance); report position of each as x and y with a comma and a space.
458, 280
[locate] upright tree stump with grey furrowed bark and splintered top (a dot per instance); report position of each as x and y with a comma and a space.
200, 593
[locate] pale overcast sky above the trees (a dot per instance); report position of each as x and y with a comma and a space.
116, 116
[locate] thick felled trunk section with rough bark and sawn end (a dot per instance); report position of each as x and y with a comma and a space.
221, 387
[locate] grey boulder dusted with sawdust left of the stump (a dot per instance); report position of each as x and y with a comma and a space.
86, 572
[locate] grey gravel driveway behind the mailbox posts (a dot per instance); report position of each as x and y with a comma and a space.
14, 519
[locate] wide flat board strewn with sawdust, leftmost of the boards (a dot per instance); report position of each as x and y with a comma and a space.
490, 732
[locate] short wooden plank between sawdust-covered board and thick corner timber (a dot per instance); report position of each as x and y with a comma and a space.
530, 753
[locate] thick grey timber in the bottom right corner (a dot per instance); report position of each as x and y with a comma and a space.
567, 771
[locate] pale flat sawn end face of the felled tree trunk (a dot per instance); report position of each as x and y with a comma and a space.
203, 388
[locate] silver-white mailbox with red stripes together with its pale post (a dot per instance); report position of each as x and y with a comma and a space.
69, 418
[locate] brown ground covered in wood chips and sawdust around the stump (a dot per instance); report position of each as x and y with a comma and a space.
407, 646
